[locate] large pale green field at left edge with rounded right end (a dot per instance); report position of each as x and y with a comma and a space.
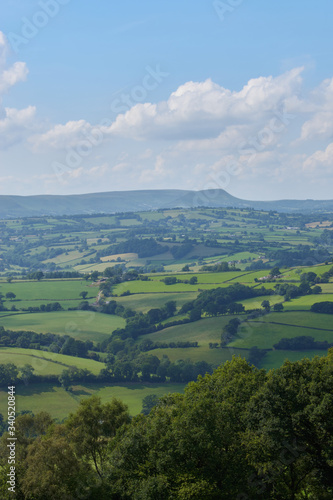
83, 325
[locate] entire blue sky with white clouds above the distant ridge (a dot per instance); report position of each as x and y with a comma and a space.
102, 96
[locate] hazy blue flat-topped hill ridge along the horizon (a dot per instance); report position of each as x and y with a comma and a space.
133, 201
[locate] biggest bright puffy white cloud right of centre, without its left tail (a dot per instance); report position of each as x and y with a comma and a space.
200, 110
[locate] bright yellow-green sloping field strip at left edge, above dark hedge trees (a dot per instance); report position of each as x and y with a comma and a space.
46, 363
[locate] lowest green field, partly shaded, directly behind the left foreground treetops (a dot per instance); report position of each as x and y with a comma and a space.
59, 403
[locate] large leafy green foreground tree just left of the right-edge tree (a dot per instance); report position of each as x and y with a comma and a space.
190, 444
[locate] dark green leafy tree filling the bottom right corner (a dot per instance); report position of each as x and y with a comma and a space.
288, 437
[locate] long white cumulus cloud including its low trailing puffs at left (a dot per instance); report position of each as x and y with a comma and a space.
196, 111
